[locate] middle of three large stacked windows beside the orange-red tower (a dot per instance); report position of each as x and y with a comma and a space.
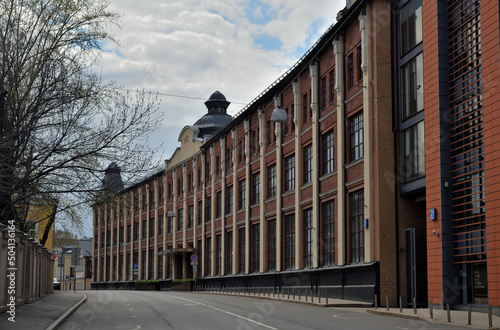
412, 82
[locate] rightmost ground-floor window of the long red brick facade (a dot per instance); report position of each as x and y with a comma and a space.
356, 201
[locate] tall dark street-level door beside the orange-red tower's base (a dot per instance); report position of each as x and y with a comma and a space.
416, 266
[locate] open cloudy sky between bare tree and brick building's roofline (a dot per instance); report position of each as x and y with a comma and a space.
188, 49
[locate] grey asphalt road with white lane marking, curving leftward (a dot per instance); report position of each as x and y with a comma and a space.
177, 310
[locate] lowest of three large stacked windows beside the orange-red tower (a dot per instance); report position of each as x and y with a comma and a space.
414, 152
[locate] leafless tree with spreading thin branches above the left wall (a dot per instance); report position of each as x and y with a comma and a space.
60, 124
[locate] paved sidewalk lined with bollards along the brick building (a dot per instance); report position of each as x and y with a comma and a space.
458, 318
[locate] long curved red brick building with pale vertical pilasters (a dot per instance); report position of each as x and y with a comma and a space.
301, 203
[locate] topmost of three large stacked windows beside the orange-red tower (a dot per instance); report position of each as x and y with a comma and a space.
411, 25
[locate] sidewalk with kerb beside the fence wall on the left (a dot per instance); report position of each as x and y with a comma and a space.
46, 313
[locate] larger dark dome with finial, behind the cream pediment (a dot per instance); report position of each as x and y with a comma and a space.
217, 116
